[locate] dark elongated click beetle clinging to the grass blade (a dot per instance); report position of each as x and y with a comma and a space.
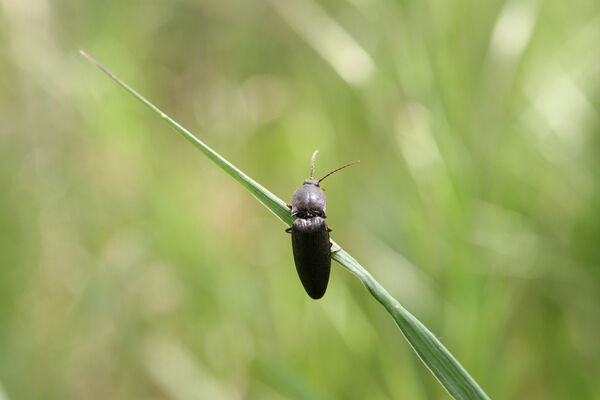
310, 234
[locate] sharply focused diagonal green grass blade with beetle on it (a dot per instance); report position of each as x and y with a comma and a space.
448, 371
